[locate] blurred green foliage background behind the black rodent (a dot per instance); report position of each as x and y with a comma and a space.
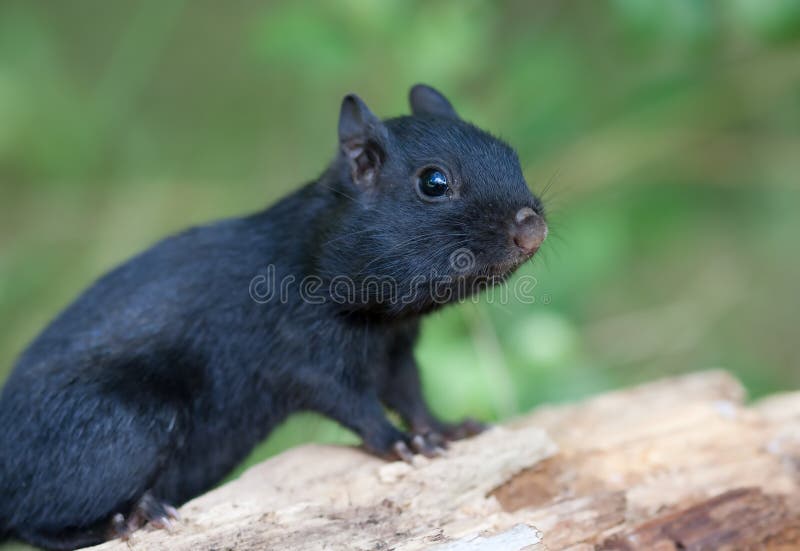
666, 135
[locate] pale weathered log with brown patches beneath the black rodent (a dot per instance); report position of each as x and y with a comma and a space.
677, 464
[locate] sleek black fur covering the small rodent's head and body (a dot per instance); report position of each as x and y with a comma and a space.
166, 372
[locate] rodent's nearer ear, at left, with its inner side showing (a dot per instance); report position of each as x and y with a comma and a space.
362, 138
